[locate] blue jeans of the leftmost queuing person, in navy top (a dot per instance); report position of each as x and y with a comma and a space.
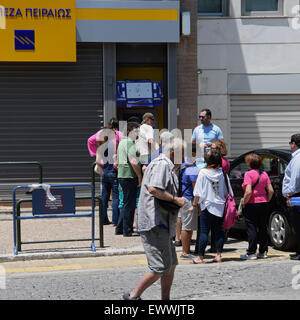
110, 183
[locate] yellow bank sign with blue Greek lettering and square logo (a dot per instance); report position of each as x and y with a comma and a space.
34, 30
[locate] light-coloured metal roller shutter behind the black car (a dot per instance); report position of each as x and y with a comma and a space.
263, 121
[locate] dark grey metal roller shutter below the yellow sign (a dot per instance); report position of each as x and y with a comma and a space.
47, 113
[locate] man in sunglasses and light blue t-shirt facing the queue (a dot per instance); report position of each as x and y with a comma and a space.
207, 133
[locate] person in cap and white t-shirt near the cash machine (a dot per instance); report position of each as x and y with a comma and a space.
146, 144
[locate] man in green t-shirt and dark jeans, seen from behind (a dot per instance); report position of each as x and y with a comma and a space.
129, 177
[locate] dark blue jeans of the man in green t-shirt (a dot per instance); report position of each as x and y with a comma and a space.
126, 217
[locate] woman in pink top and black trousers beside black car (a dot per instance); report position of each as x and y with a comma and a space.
258, 192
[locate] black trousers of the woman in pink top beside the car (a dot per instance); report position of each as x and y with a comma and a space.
256, 218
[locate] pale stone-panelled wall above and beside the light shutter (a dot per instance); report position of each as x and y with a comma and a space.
247, 47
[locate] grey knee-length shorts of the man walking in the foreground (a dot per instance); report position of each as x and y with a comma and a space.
159, 249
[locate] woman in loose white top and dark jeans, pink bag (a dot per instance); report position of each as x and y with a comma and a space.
210, 194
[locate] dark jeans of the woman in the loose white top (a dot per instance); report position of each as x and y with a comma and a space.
209, 221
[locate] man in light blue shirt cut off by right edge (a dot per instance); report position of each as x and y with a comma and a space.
291, 187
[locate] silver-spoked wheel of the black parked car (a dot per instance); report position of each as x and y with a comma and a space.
280, 231
